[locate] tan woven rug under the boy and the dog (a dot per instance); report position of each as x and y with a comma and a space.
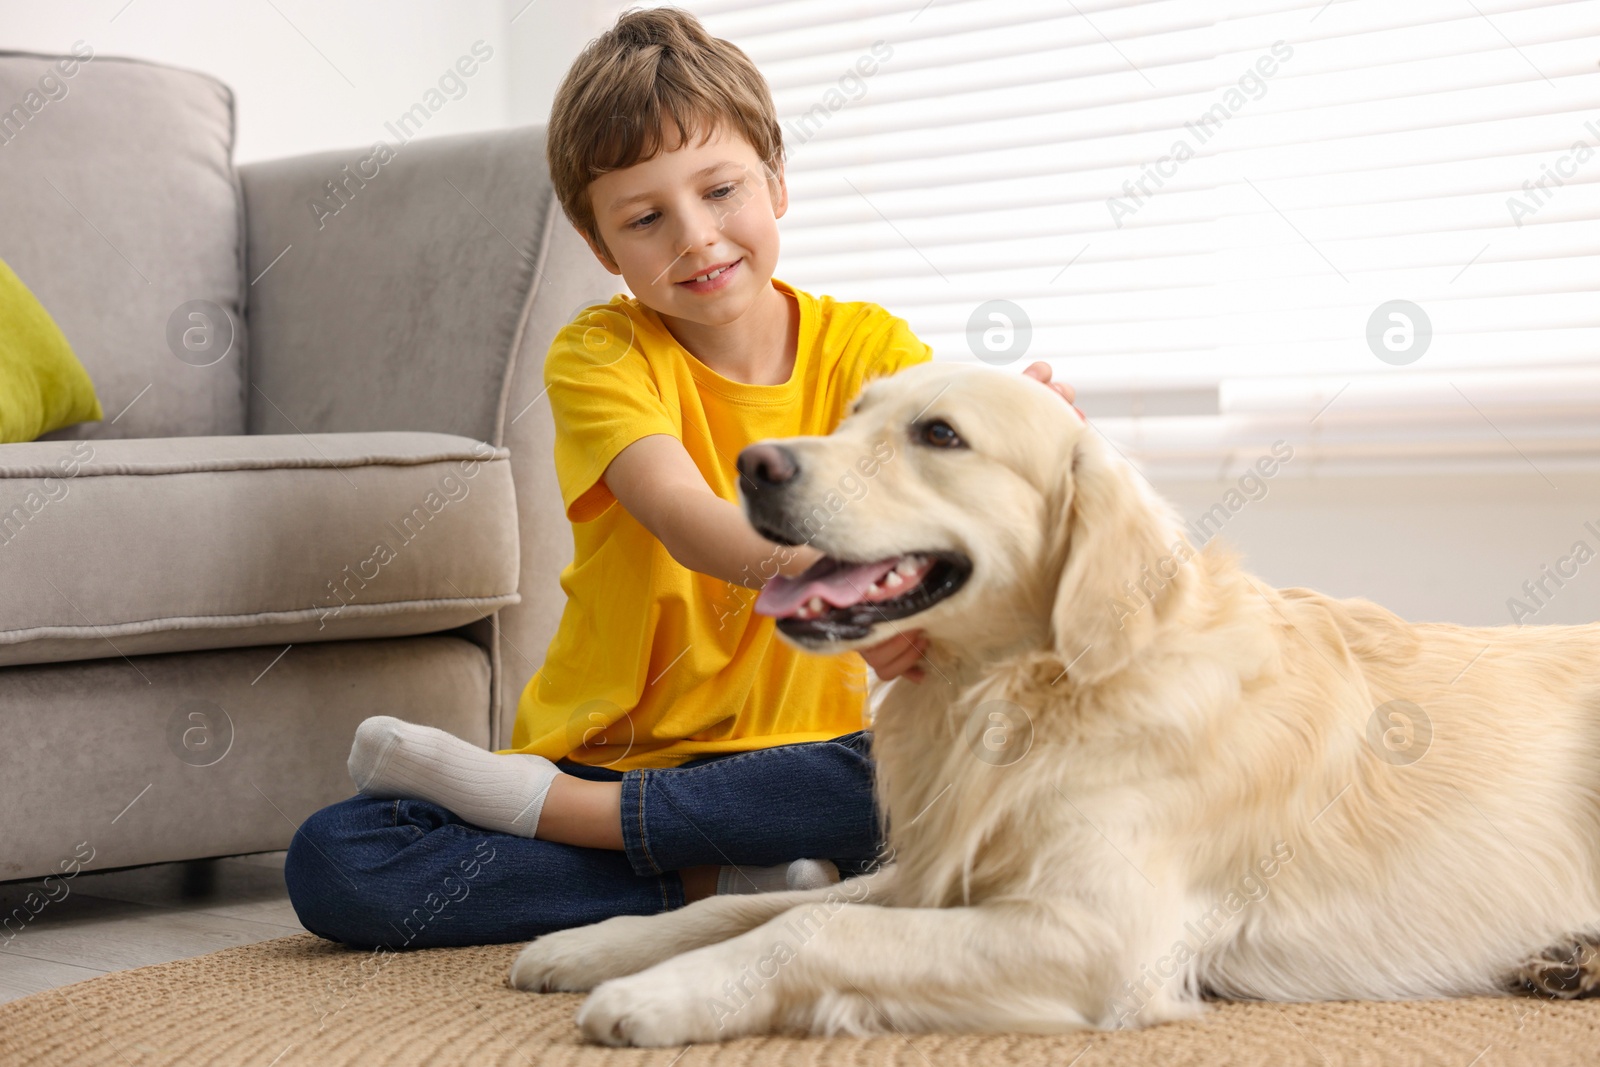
303, 1002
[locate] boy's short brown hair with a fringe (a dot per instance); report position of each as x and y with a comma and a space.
614, 106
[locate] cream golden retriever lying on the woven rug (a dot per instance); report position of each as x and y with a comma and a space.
1135, 777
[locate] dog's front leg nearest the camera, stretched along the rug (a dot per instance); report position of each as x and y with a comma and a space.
834, 967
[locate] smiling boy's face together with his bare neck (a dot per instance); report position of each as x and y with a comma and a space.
695, 210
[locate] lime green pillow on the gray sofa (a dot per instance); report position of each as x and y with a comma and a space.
42, 385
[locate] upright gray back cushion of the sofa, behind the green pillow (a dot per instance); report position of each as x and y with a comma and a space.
121, 209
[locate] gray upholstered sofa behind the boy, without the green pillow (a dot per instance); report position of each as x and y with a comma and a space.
324, 484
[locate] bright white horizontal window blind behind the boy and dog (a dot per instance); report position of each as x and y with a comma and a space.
1364, 228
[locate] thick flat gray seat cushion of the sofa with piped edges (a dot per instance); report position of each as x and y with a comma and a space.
174, 545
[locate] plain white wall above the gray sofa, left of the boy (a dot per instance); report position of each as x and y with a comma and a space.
311, 76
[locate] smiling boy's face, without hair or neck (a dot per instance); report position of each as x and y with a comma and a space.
690, 209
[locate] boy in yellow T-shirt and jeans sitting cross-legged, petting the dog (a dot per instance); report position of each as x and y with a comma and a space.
671, 746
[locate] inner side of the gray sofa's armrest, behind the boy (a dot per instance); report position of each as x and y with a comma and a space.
428, 268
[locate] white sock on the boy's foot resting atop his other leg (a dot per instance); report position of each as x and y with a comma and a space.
497, 793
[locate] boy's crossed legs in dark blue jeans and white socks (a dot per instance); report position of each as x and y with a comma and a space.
610, 842
